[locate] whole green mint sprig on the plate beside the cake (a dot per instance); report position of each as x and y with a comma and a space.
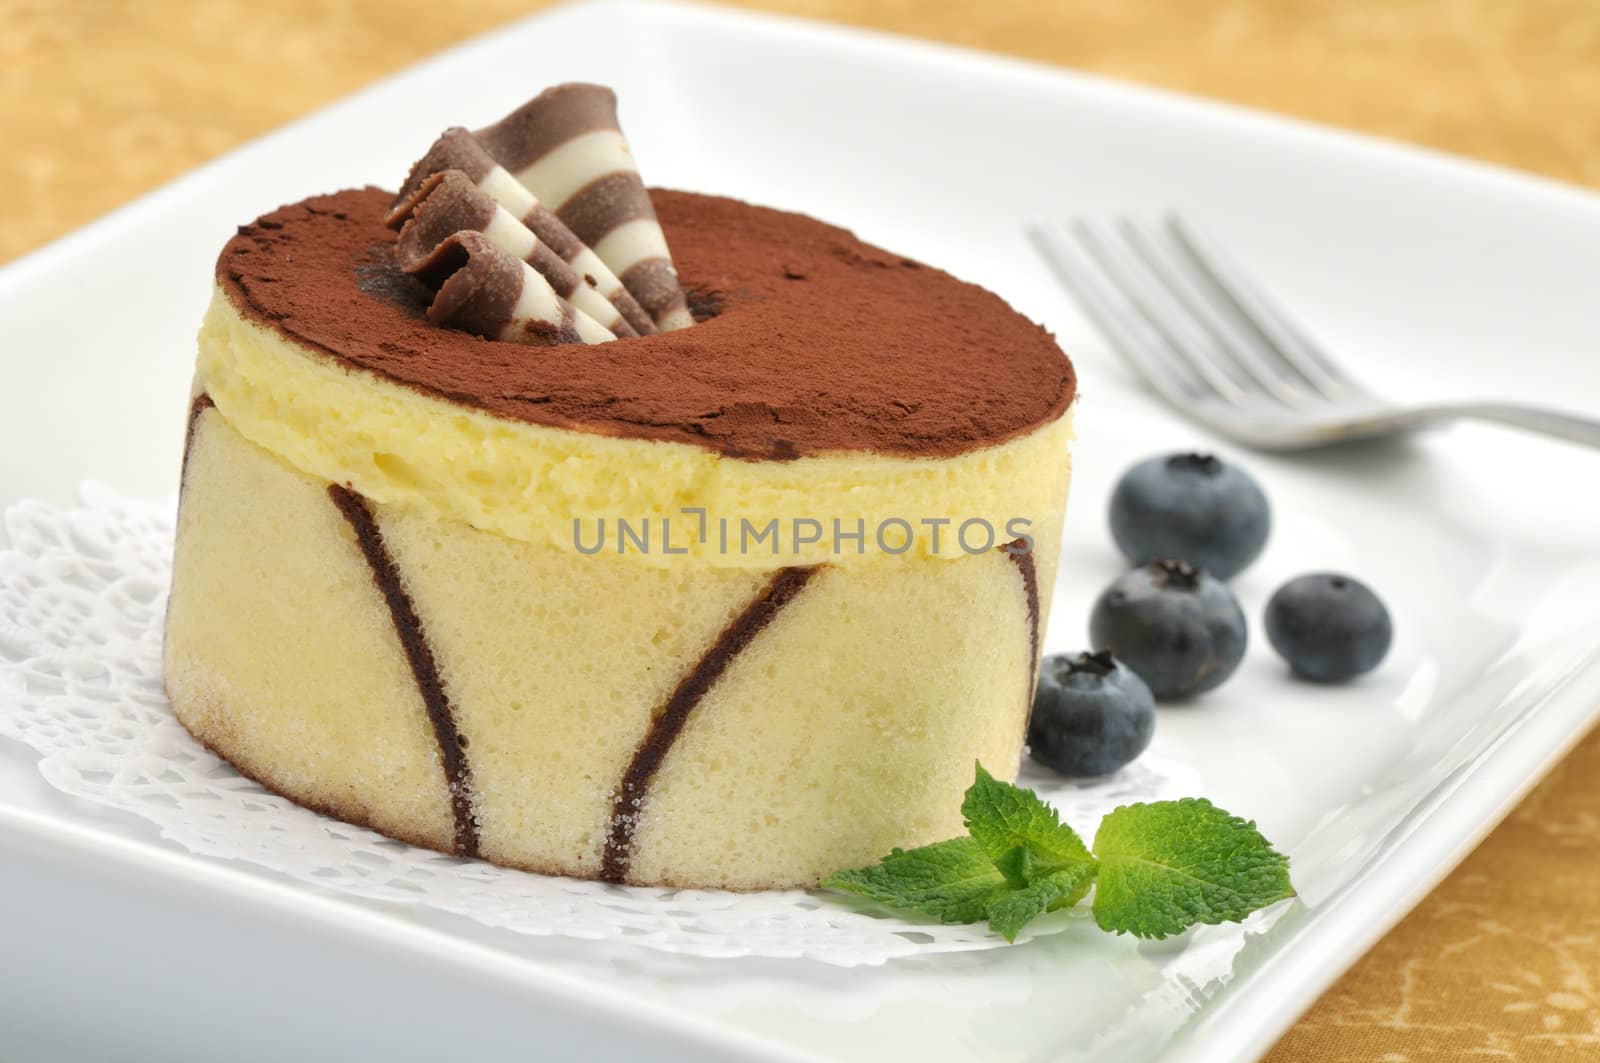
1161, 867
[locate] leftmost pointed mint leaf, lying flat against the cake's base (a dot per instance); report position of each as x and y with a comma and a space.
951, 881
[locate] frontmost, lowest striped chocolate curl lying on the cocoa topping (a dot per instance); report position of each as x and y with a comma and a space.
494, 294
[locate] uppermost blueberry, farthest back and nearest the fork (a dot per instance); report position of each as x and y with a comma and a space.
1191, 508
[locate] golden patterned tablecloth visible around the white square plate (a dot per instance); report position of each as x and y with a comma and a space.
103, 100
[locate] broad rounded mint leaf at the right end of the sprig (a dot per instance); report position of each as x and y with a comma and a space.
1170, 865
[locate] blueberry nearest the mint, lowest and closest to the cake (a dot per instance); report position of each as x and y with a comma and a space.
1092, 715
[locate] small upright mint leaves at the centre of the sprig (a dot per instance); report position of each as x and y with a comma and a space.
1026, 838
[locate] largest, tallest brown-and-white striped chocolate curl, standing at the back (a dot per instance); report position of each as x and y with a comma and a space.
567, 146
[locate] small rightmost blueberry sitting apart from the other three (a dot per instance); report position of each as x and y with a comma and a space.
1329, 628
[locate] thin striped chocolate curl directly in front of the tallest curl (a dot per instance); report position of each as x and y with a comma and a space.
457, 150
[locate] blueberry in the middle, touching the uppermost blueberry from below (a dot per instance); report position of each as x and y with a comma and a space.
1178, 628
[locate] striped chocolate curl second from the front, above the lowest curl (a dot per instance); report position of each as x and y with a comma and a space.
450, 203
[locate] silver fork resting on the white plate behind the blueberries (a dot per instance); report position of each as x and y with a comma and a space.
1215, 347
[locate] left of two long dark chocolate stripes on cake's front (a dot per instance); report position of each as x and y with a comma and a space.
409, 627
